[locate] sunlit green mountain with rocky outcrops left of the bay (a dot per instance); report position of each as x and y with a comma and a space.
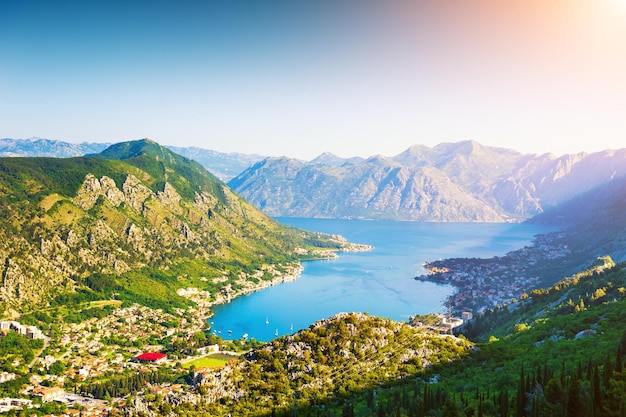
137, 220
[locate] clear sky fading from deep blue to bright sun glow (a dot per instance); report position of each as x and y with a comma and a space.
302, 77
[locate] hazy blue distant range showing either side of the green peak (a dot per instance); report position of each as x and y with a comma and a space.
223, 165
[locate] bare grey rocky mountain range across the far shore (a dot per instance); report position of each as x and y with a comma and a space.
462, 182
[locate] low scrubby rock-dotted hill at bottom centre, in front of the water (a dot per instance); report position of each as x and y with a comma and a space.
329, 363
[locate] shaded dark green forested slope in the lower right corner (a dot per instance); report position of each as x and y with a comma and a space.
557, 352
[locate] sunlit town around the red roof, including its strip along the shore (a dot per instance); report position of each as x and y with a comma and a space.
73, 356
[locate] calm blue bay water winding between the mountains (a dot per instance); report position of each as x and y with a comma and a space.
379, 282
